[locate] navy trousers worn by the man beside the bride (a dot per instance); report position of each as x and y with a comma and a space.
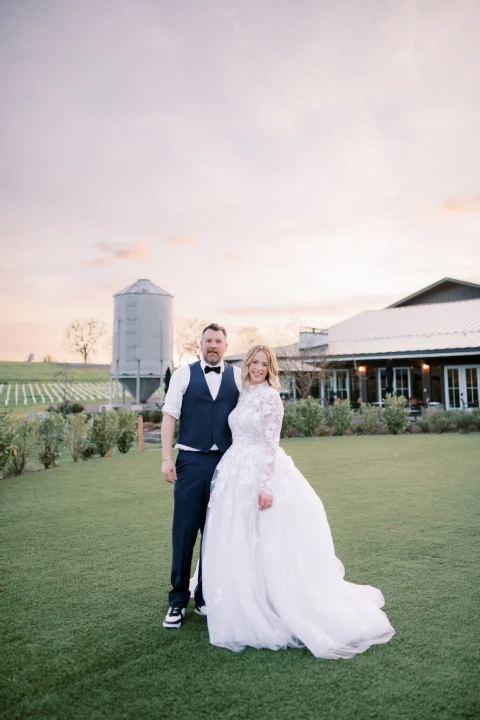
191, 495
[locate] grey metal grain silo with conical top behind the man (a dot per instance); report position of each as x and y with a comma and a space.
142, 339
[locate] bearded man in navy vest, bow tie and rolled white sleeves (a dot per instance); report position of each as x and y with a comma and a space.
201, 396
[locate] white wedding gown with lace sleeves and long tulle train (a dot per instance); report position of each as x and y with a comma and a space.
271, 578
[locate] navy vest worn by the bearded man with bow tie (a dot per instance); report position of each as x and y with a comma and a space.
203, 420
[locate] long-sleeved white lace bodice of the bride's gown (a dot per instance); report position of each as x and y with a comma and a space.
257, 420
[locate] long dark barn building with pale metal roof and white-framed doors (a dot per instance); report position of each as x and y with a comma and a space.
425, 347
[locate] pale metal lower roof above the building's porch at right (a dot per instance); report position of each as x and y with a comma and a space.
435, 326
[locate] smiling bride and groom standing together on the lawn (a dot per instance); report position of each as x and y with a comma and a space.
268, 575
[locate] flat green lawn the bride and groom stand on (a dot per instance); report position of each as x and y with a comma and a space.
88, 547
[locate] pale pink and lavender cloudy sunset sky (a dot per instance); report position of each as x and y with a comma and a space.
265, 161
